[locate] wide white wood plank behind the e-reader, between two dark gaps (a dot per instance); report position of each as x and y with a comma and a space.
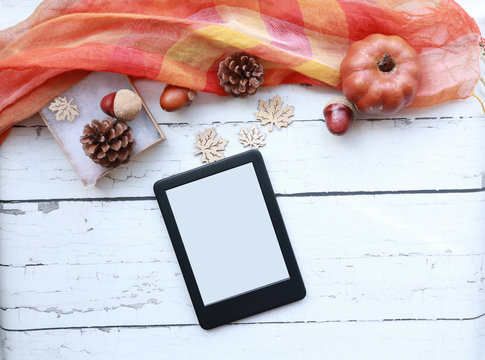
411, 256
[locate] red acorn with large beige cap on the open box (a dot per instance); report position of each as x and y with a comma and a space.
125, 105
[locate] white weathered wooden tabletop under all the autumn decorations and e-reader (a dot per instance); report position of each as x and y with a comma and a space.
387, 223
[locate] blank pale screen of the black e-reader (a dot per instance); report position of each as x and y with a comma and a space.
227, 234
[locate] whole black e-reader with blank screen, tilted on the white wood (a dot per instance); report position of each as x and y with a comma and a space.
229, 239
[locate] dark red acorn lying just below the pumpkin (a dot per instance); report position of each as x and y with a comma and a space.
339, 113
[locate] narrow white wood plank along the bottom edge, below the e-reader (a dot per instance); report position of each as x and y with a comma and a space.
444, 340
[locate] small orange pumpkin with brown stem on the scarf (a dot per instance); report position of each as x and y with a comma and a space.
380, 74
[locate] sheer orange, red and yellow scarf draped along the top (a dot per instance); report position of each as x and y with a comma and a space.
182, 42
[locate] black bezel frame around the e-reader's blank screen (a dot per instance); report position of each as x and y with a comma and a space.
246, 304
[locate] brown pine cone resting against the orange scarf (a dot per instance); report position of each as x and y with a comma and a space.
240, 74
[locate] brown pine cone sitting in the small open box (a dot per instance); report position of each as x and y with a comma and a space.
108, 143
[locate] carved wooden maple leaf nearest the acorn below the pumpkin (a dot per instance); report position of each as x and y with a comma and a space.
273, 113
